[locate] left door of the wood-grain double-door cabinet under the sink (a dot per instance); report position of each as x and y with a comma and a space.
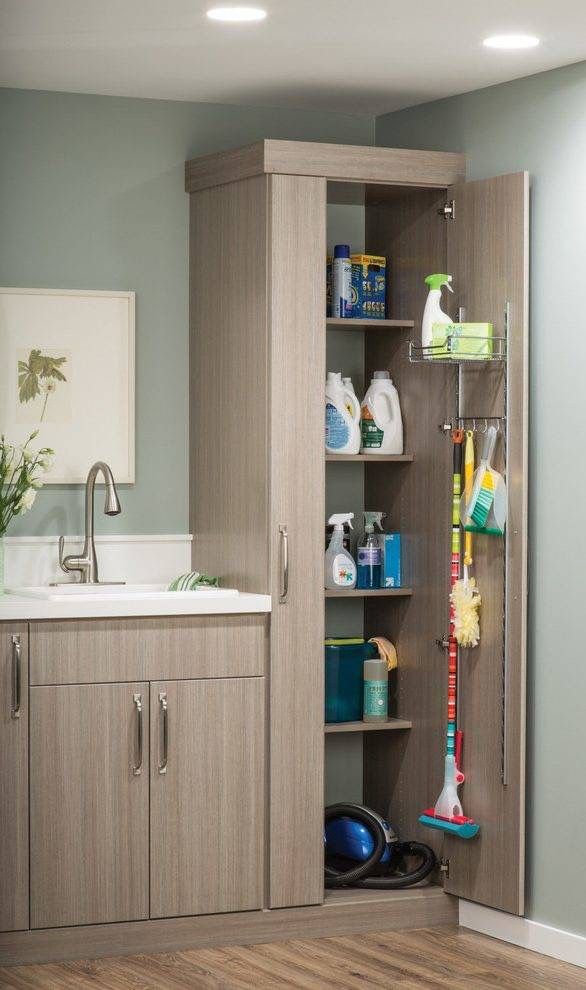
89, 808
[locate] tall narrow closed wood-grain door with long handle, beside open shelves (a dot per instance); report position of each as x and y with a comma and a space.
297, 318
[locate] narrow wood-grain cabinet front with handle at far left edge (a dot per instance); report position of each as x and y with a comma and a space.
14, 913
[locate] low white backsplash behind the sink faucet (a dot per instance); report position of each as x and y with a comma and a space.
150, 559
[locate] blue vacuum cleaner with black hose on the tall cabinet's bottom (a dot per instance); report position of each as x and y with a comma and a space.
363, 850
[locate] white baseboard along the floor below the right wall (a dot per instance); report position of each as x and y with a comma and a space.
528, 934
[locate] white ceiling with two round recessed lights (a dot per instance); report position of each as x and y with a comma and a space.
366, 56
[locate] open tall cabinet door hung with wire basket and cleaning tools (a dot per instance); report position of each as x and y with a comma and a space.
488, 258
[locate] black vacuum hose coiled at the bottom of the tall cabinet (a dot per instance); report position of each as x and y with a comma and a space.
359, 876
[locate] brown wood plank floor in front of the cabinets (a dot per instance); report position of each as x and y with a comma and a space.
435, 959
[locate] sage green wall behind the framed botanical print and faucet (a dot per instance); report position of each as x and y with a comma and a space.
91, 197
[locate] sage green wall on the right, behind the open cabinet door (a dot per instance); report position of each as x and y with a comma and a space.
539, 124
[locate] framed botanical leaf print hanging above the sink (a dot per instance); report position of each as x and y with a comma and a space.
67, 369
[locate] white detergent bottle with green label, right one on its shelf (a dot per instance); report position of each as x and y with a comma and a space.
382, 425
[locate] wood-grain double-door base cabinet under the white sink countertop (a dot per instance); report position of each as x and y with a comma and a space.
147, 796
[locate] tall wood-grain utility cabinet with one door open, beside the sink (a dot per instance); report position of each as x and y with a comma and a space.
258, 332
